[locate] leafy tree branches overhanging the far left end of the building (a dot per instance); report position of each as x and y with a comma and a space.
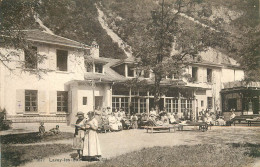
15, 17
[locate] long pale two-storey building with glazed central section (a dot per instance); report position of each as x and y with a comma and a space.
77, 79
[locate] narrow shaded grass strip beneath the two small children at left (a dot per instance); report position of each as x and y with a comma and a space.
33, 138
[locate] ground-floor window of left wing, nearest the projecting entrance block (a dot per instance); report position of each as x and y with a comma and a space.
62, 101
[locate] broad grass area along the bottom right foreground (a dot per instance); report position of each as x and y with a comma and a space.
228, 155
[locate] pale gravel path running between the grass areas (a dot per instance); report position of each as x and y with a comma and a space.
118, 143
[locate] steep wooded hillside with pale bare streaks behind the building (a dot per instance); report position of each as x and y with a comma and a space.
128, 19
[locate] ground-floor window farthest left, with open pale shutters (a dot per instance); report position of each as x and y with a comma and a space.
31, 99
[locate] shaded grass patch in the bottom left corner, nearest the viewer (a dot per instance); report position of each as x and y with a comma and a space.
18, 155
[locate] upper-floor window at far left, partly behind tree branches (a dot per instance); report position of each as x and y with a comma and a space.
30, 57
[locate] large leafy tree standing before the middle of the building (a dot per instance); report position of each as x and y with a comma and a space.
166, 31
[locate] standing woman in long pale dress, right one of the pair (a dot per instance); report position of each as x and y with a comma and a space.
91, 148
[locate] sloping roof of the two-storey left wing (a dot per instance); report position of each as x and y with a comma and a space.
45, 37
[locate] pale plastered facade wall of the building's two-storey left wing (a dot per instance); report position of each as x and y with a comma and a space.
13, 84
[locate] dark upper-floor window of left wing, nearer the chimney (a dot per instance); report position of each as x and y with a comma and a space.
62, 60
